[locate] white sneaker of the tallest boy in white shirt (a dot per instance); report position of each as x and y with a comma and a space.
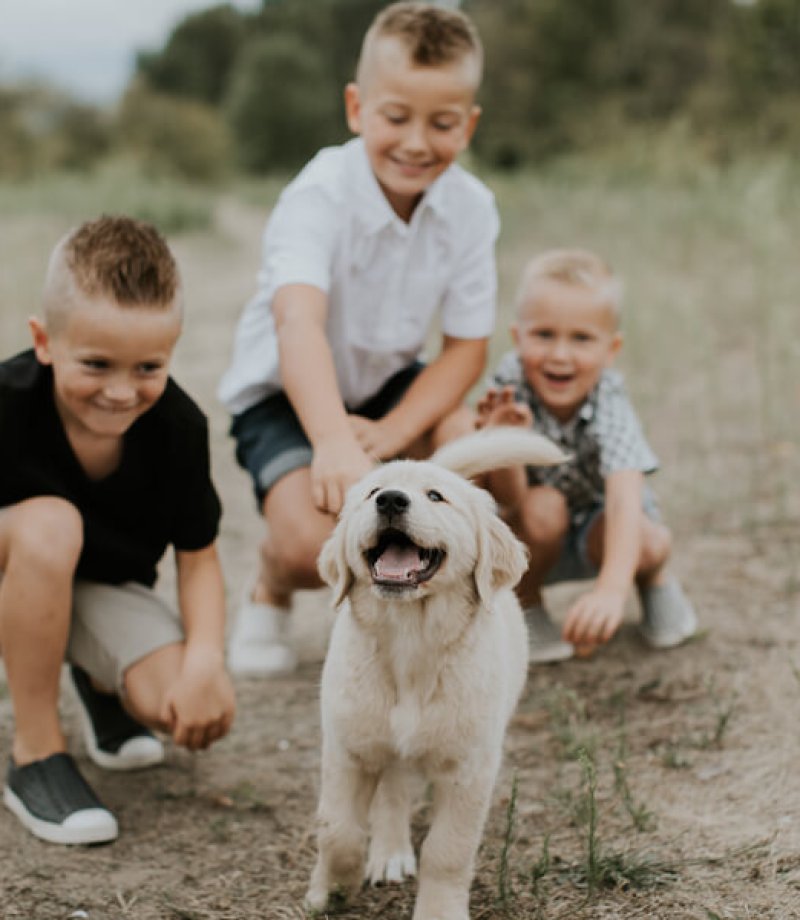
259, 643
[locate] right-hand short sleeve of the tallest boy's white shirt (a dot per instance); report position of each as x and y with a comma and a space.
468, 310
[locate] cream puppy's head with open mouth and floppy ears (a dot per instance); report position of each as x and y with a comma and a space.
412, 531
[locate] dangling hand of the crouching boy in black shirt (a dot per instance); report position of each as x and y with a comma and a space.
200, 705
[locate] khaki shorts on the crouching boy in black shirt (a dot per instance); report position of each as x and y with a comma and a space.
114, 626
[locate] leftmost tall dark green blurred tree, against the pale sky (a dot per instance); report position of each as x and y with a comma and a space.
198, 57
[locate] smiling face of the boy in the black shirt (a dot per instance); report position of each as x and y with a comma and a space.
110, 363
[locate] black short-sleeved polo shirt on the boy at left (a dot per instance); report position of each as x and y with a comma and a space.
160, 495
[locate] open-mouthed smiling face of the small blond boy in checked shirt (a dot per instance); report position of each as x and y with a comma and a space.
566, 335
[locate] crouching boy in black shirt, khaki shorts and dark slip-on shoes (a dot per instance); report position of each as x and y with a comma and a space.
104, 463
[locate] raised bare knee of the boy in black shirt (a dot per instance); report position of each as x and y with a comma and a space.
46, 535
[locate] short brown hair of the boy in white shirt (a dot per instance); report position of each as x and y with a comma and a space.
431, 34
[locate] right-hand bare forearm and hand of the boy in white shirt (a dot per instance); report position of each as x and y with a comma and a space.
438, 390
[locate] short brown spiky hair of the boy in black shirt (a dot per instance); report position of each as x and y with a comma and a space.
117, 257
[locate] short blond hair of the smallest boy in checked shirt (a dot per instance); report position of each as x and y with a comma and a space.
577, 267
